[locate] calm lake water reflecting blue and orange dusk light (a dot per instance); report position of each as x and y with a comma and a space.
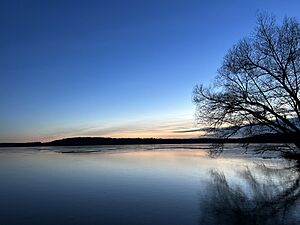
158, 184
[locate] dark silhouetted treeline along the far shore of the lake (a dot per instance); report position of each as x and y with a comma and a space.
85, 141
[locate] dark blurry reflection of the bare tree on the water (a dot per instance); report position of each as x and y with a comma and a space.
263, 195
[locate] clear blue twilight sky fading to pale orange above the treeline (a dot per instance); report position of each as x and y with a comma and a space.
114, 68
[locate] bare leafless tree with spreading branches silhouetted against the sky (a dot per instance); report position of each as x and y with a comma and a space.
257, 87
